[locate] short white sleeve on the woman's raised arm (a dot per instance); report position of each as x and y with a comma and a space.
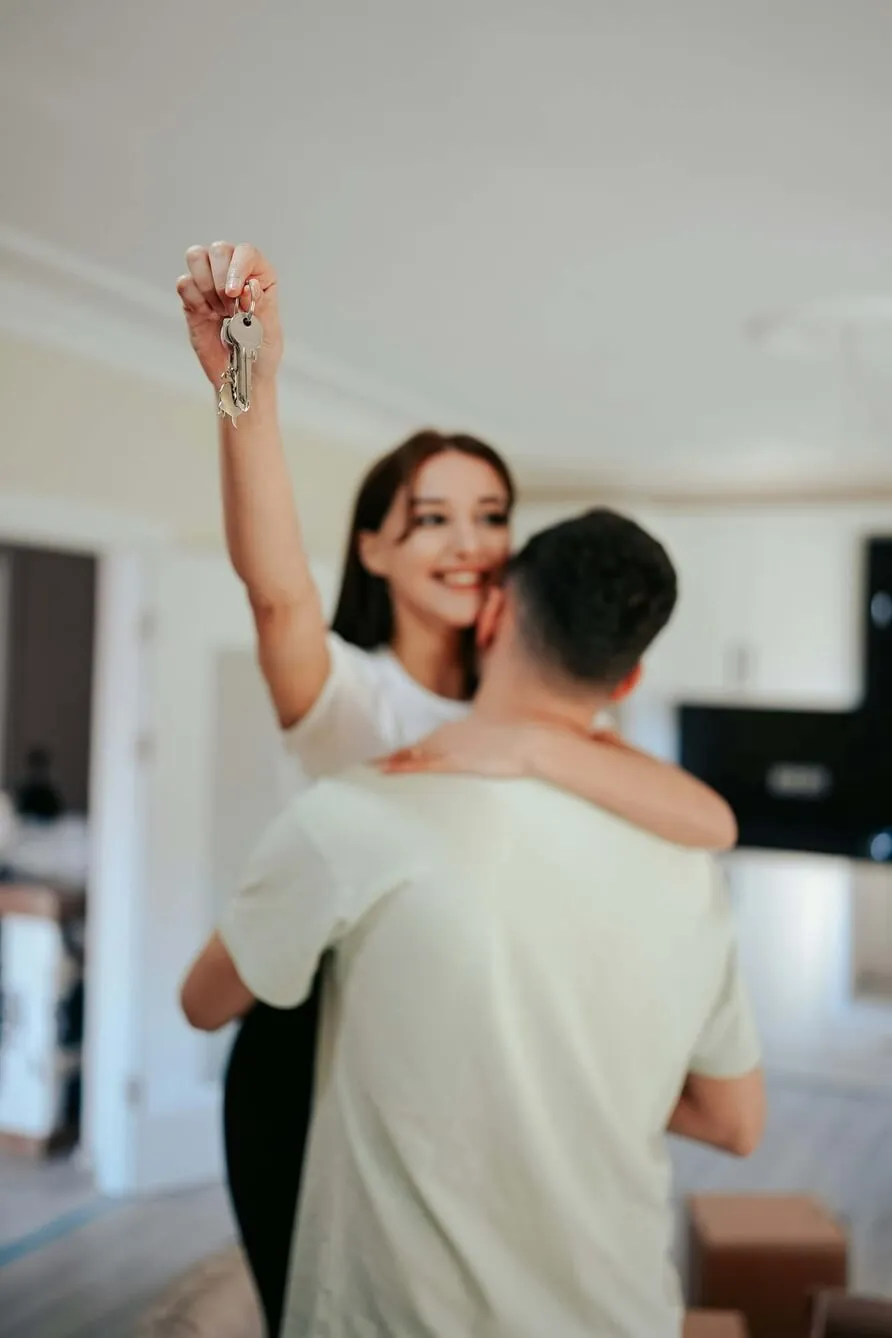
346, 725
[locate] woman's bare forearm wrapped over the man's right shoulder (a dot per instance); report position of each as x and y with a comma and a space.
648, 793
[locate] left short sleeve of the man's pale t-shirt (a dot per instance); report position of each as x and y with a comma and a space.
287, 913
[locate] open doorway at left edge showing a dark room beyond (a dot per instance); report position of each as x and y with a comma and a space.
47, 639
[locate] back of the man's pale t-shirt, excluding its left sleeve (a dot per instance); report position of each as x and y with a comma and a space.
508, 1028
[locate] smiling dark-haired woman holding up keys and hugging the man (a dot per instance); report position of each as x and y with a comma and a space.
429, 533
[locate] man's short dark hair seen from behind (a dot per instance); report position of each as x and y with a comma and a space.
592, 596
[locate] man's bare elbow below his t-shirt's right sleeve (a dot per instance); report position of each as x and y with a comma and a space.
728, 1114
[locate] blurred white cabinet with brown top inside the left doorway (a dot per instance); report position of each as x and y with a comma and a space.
41, 1016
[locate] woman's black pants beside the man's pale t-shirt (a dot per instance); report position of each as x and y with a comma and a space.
268, 1102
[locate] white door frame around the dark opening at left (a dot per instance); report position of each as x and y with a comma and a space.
121, 545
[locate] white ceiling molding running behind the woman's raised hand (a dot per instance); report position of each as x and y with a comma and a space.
62, 302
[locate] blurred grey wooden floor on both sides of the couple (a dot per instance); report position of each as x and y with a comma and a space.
85, 1269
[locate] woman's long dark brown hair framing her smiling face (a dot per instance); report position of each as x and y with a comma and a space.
364, 613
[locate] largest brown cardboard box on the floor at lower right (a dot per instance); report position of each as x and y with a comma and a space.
764, 1257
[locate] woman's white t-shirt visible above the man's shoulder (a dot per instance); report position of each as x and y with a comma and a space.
368, 707
